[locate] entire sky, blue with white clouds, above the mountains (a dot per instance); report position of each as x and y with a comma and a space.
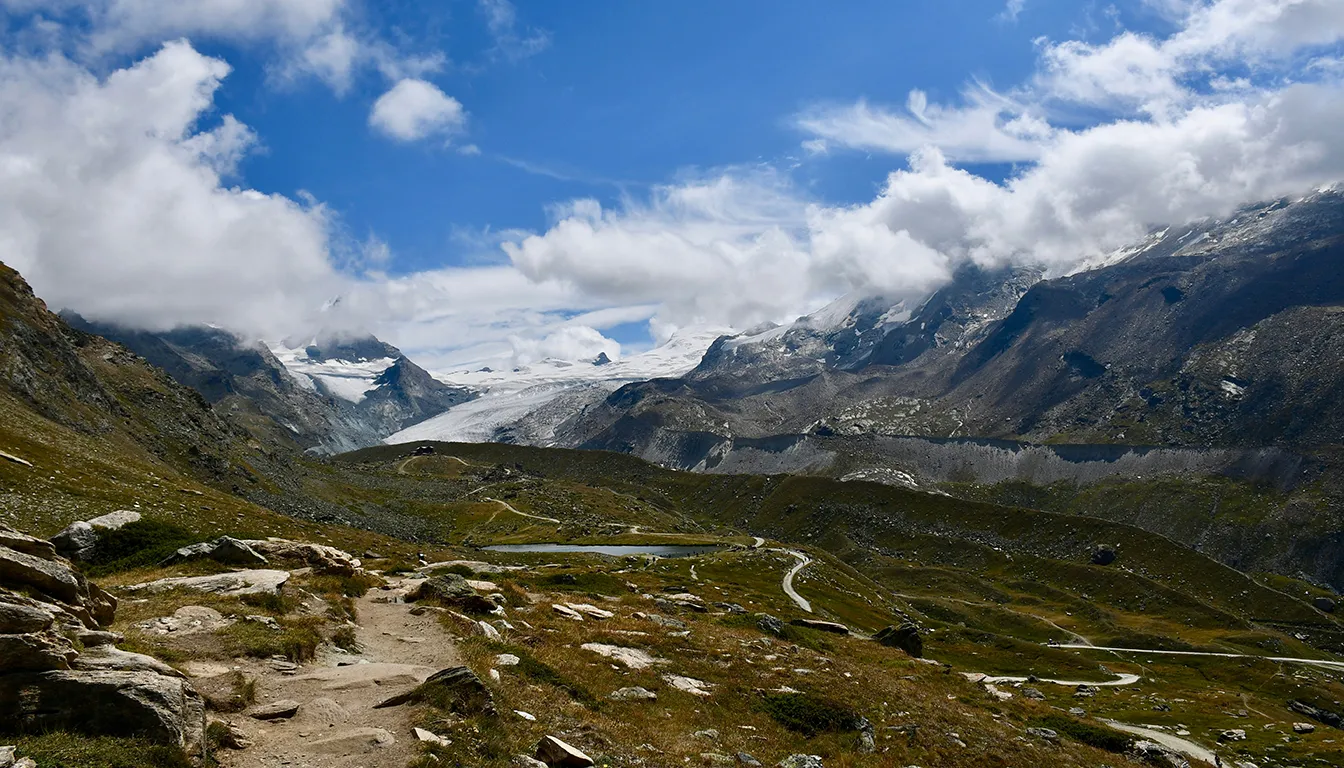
491, 182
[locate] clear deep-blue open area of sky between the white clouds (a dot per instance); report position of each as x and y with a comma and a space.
623, 98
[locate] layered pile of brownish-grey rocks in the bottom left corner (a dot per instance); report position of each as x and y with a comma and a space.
60, 666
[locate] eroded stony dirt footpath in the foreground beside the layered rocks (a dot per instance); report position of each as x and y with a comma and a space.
337, 726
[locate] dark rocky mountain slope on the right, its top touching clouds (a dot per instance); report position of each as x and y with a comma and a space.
1224, 334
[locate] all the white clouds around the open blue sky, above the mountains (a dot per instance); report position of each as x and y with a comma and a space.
122, 197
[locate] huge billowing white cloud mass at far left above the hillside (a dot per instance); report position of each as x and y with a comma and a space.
112, 201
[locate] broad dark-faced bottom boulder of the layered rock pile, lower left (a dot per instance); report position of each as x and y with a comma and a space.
96, 703
